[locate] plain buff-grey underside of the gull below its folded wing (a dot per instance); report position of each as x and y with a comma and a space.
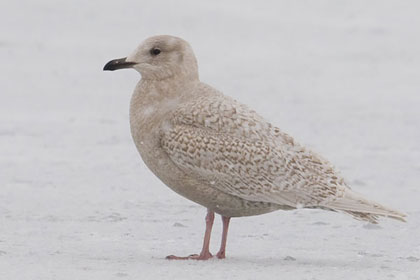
208, 196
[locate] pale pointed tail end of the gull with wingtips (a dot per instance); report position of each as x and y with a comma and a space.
362, 209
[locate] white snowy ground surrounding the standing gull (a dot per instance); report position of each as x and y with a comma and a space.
76, 202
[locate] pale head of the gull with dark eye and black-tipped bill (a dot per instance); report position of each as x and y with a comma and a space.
160, 57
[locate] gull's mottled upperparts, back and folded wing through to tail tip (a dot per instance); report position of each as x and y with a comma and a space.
227, 146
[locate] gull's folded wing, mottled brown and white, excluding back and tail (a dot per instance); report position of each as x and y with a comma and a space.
249, 169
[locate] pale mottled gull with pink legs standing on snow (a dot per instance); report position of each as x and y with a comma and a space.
221, 154
